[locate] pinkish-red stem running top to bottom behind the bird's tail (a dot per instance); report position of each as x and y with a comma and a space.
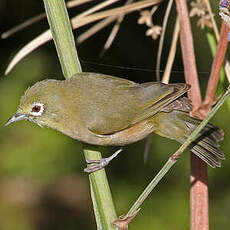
199, 190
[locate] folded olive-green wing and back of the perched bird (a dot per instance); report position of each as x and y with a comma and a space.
112, 104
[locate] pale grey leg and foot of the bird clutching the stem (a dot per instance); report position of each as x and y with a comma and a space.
99, 164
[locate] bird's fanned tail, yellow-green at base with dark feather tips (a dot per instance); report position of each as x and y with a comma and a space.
178, 125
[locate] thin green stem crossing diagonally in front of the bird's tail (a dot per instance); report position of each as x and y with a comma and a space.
173, 159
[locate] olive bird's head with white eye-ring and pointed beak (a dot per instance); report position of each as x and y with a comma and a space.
39, 104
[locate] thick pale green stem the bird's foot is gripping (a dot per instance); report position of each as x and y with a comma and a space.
64, 41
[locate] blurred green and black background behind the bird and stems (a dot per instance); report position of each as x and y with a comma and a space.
42, 184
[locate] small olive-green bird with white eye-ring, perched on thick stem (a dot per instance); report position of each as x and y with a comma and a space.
105, 110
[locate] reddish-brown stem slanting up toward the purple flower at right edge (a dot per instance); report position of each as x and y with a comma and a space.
216, 65
